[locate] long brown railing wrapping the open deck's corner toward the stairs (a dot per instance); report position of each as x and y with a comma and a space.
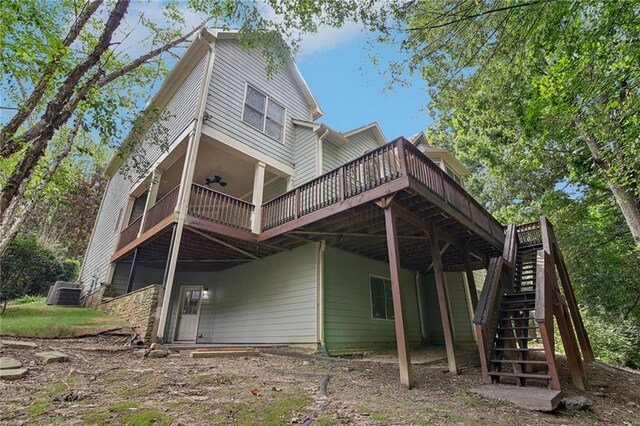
382, 165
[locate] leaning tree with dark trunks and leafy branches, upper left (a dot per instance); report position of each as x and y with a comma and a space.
61, 61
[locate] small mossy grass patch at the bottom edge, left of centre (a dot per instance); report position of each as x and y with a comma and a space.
129, 414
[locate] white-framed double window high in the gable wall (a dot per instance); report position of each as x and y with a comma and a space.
263, 113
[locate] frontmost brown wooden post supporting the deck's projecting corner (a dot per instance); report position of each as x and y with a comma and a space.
404, 356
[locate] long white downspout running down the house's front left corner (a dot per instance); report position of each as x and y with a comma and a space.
185, 192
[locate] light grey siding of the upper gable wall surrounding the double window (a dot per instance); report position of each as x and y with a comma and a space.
233, 68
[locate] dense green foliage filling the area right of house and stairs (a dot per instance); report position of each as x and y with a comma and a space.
540, 100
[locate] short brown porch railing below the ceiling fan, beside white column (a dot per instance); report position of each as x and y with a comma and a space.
217, 207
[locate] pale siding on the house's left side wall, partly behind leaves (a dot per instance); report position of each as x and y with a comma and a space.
181, 107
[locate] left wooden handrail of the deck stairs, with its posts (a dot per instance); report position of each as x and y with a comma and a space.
498, 282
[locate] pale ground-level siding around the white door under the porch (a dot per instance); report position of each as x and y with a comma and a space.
272, 300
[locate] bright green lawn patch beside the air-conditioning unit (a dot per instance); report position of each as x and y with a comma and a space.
37, 320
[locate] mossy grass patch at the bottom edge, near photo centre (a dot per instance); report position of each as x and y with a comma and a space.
274, 409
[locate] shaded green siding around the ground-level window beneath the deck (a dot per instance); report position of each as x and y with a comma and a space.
348, 320
